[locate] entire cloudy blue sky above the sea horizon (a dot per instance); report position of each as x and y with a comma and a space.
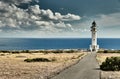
59, 18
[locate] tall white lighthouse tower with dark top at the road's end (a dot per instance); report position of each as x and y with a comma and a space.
94, 47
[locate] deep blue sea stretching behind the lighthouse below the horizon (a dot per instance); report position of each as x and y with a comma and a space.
56, 43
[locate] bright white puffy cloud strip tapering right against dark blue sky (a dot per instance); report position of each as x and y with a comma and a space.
49, 15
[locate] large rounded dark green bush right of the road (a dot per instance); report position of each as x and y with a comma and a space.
111, 64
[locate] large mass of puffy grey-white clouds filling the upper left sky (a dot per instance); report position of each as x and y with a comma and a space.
33, 18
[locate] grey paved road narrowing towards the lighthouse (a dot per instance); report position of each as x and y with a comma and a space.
87, 68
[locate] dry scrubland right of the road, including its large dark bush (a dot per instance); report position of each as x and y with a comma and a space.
109, 61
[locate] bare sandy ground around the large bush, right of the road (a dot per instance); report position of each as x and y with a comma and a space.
108, 74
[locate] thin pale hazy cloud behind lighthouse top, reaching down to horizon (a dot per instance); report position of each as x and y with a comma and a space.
108, 25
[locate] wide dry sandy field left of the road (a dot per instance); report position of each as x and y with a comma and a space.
12, 66
